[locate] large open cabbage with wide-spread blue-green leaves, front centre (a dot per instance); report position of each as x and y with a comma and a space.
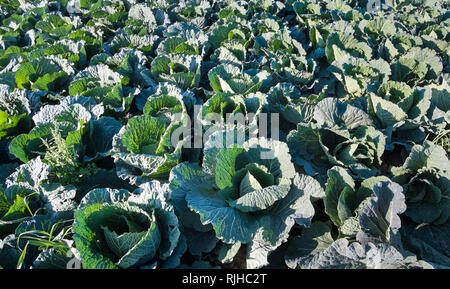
248, 193
